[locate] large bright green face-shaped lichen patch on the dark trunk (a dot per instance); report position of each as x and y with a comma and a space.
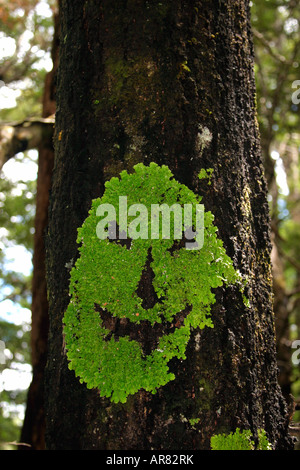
107, 275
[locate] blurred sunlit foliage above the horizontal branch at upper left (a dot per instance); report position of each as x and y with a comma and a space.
22, 64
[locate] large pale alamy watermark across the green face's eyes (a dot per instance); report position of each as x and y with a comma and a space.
163, 221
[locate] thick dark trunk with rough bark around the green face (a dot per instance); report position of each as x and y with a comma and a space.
170, 82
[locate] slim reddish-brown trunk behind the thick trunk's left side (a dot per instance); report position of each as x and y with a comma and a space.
33, 430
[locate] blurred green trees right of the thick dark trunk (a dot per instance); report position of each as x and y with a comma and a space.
277, 46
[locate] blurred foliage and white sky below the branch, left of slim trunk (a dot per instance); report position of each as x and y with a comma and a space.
17, 212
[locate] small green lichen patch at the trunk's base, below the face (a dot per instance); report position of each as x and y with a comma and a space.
240, 440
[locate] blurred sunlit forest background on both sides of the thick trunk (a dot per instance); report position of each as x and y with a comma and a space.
28, 52
